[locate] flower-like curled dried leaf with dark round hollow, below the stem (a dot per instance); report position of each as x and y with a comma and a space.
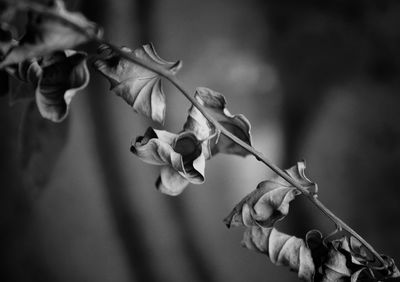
181, 154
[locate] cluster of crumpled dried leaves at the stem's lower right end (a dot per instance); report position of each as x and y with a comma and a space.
314, 258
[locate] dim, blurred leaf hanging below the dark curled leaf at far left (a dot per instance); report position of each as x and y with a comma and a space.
41, 143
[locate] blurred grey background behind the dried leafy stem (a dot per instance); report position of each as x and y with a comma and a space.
319, 80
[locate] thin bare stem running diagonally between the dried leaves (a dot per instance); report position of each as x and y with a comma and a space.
23, 5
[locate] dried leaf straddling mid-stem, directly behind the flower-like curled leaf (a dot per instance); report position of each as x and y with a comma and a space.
215, 103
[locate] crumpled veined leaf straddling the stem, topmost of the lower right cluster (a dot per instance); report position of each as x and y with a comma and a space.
270, 201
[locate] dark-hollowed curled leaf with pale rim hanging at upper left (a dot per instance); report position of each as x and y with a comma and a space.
63, 75
